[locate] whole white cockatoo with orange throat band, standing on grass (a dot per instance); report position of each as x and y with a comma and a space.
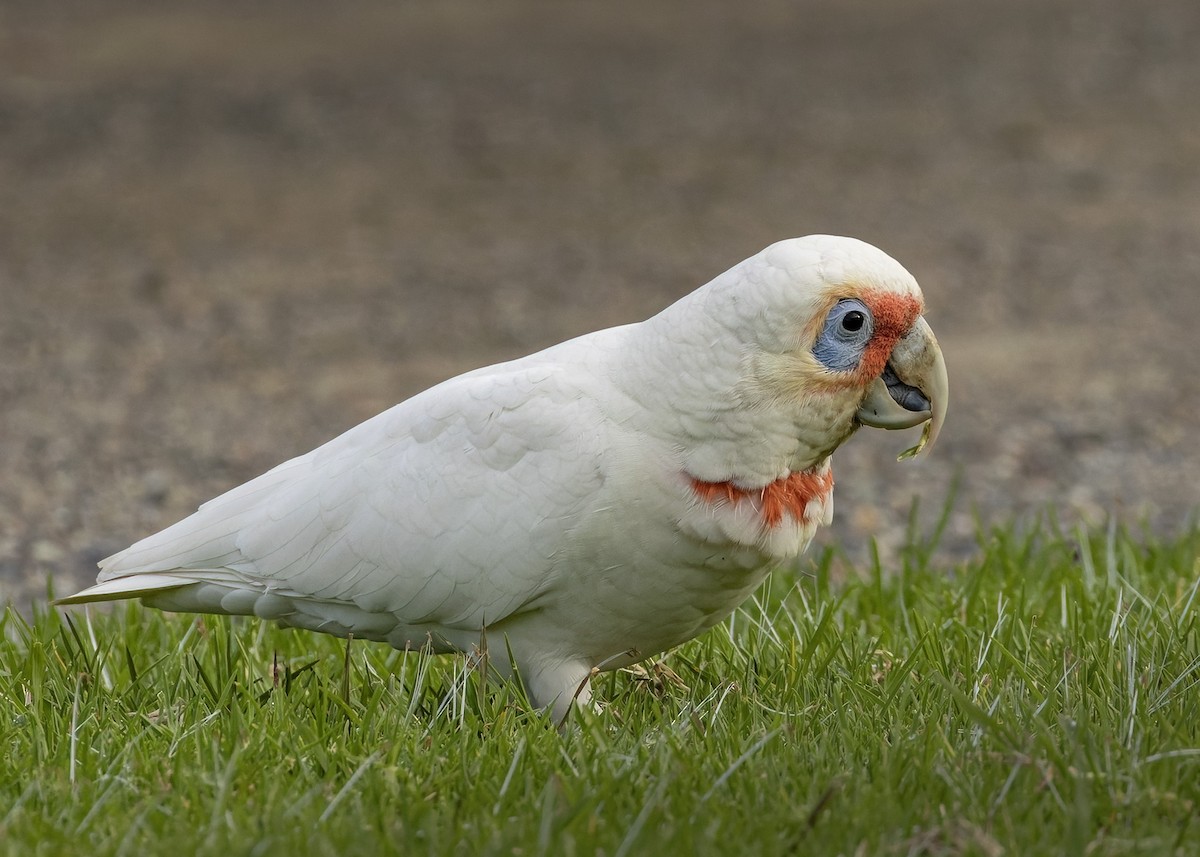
590, 506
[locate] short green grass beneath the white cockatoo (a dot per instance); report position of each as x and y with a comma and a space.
1043, 698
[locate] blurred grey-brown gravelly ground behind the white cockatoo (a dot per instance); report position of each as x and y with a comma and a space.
231, 231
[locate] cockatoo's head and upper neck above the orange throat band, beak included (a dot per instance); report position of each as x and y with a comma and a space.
819, 337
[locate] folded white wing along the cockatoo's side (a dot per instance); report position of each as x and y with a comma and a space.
447, 510
